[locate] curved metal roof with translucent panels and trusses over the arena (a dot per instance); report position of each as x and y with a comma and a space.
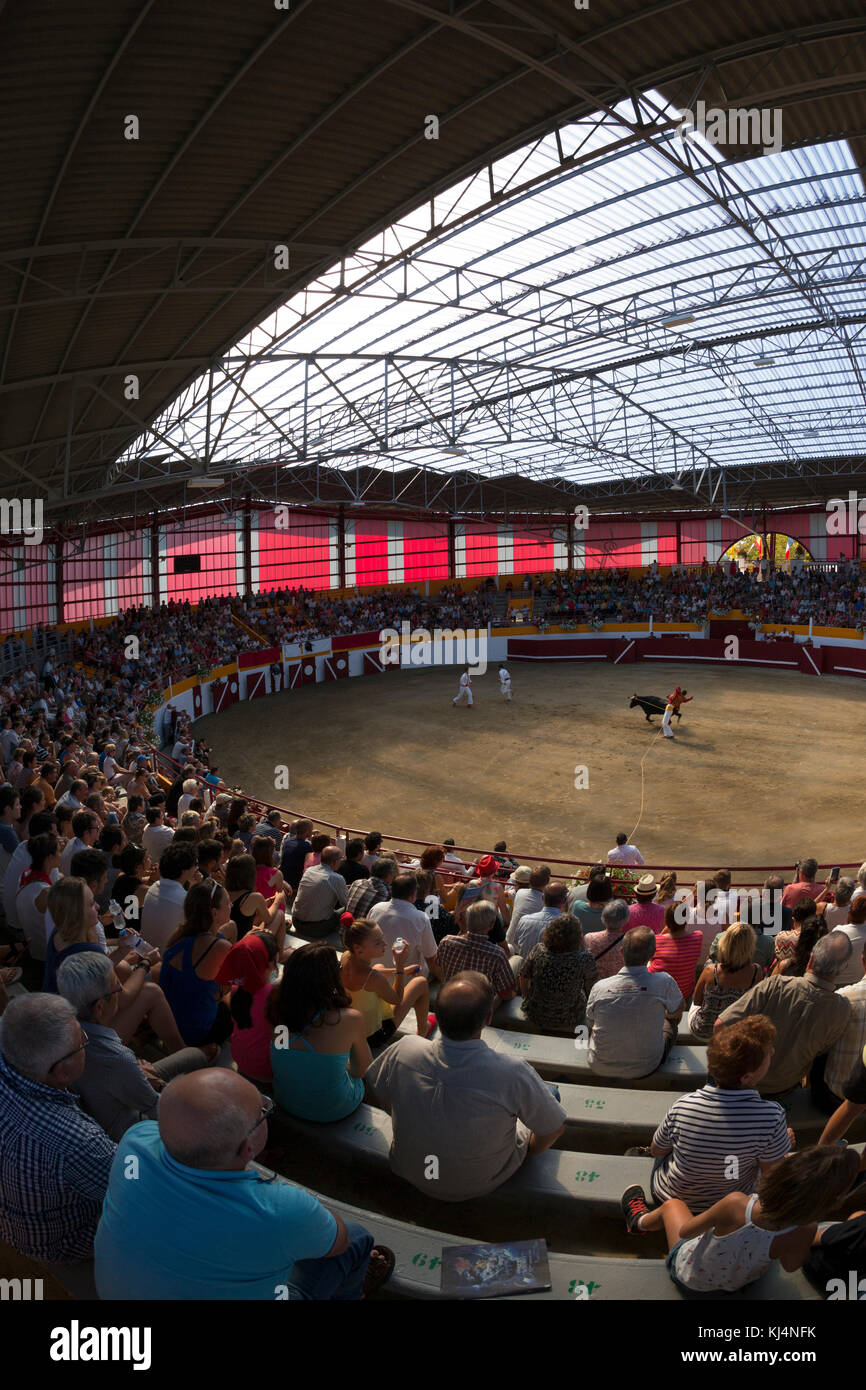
308, 129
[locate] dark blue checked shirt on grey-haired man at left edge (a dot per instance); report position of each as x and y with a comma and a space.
55, 1166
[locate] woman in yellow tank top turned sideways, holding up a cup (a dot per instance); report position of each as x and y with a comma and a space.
382, 1004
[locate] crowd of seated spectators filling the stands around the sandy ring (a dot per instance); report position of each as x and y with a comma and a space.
174, 967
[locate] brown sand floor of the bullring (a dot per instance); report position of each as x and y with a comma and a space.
765, 767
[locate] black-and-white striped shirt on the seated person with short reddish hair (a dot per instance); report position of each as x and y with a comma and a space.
705, 1131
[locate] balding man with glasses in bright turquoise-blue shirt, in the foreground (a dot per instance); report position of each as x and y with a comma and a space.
187, 1218
